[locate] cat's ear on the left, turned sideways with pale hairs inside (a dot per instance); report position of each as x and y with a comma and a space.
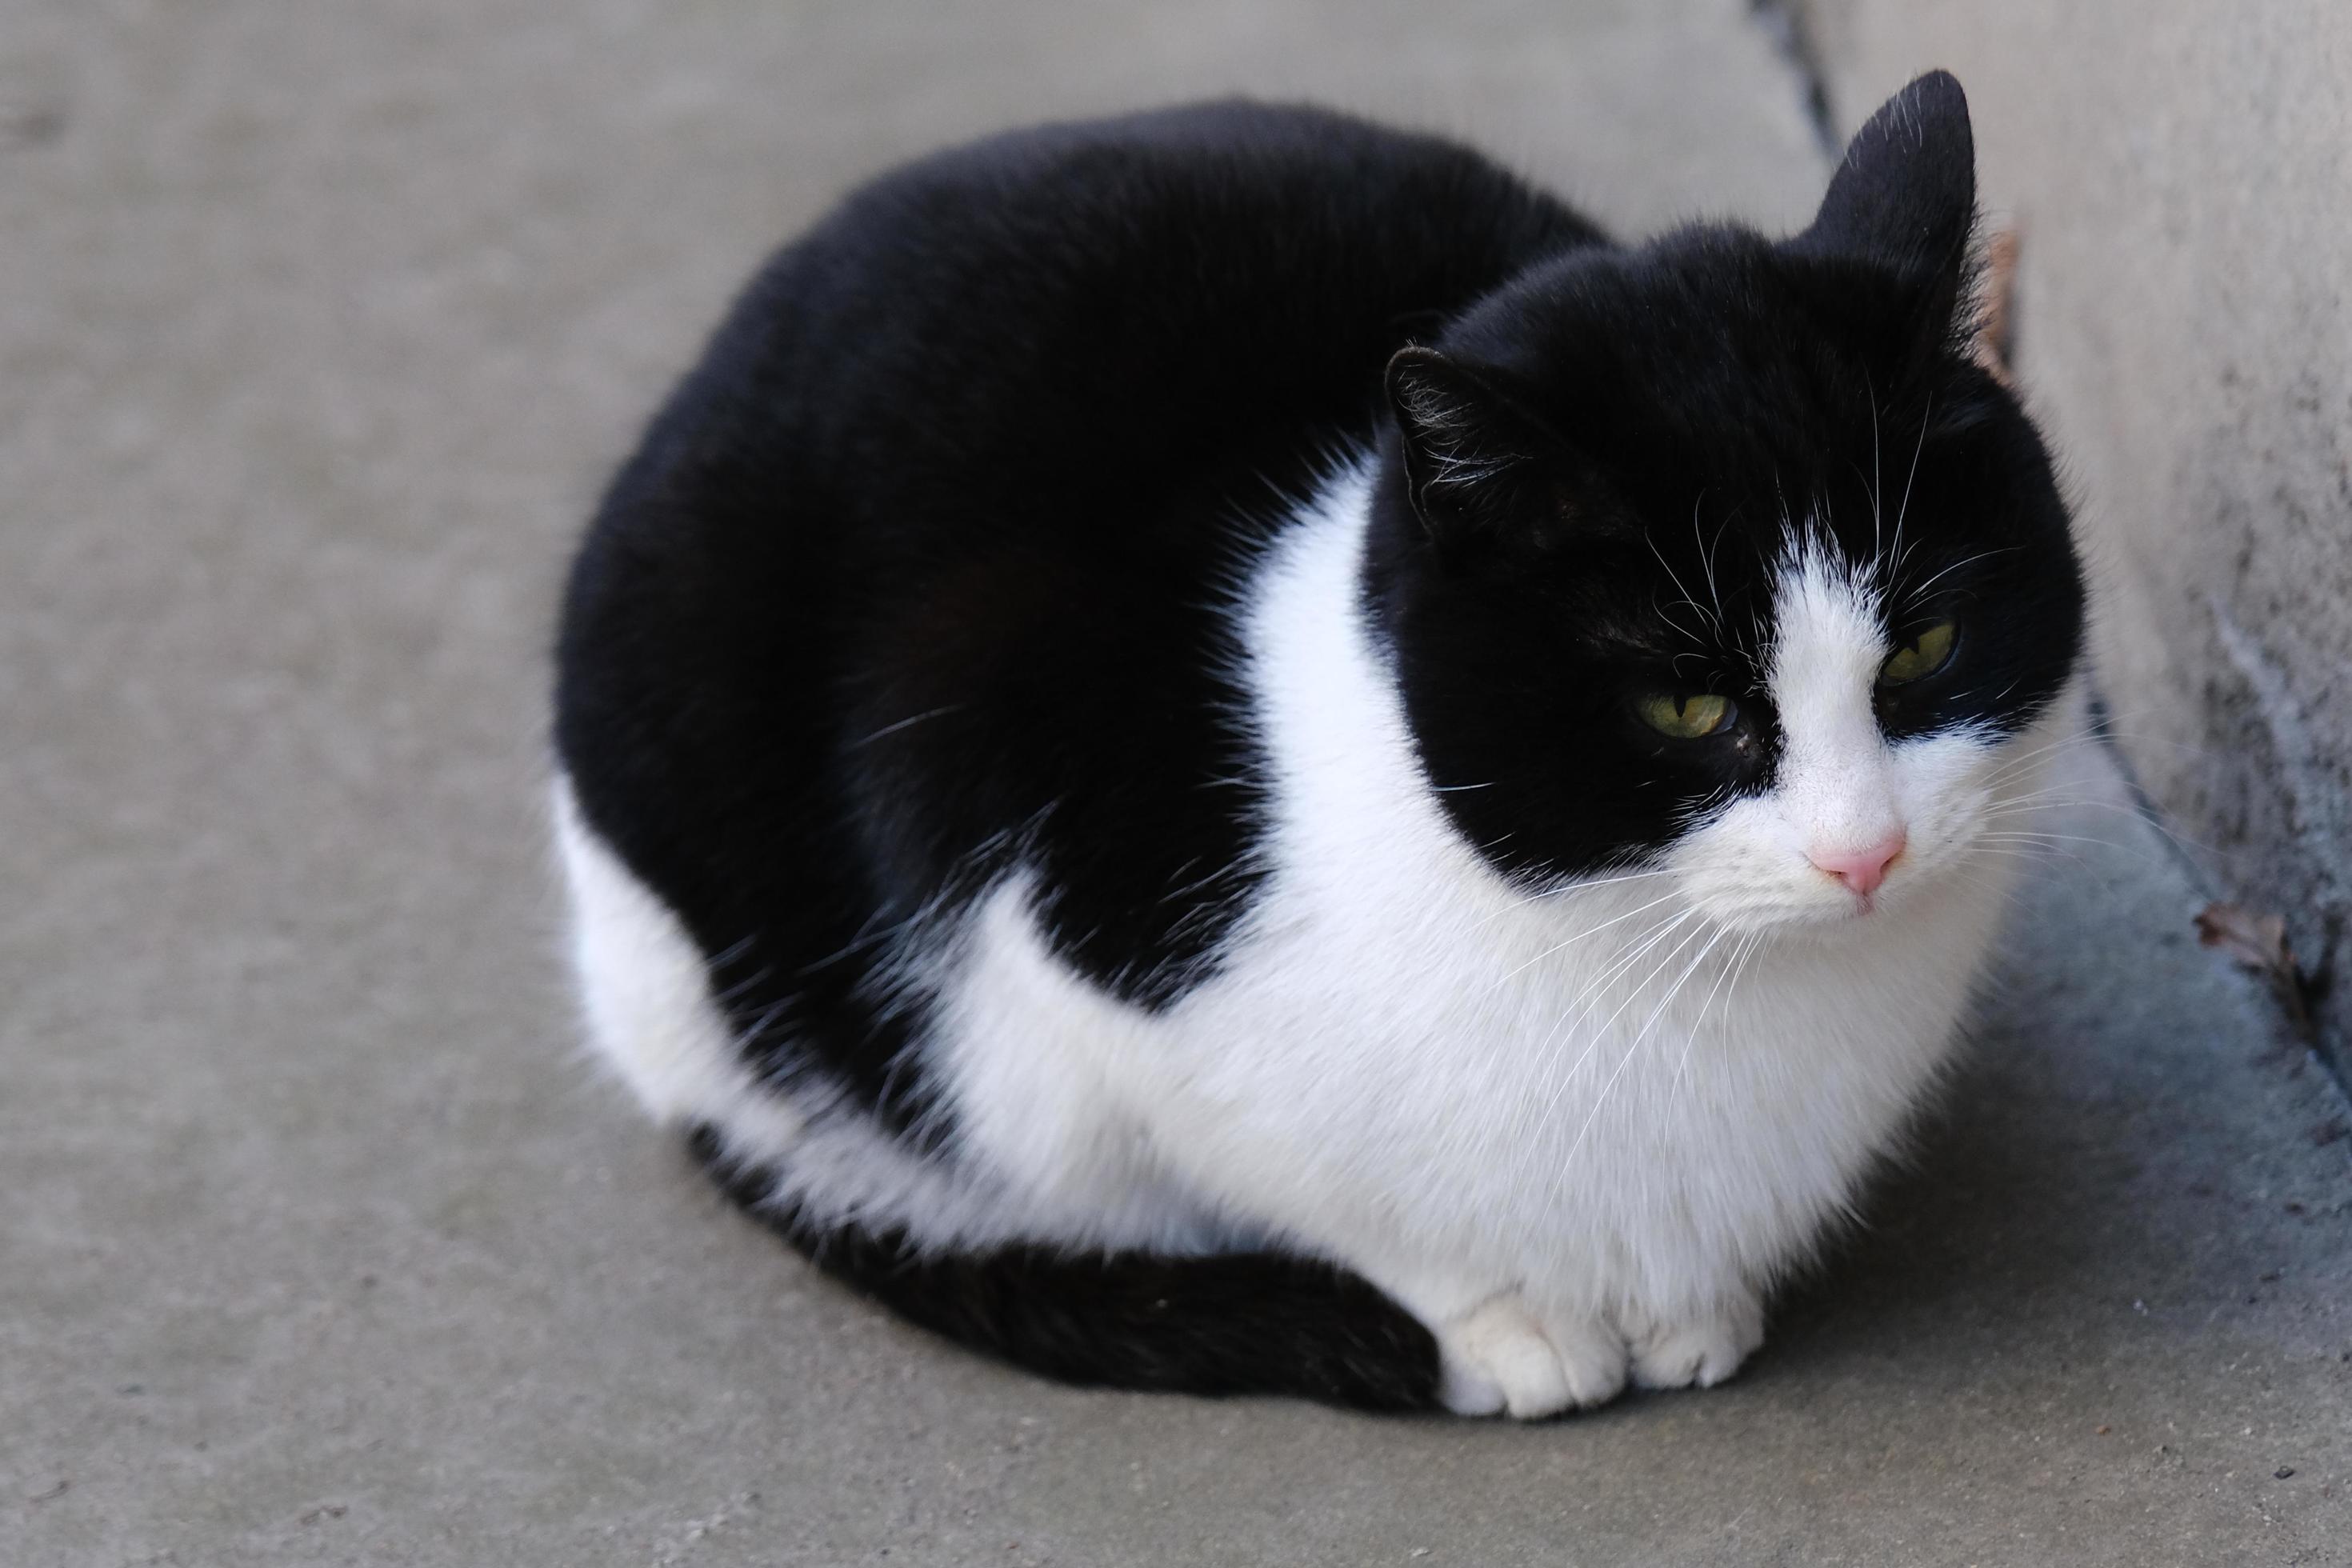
1471, 453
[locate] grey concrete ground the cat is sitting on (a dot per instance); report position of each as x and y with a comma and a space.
319, 333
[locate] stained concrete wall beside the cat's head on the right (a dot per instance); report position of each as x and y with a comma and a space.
2181, 177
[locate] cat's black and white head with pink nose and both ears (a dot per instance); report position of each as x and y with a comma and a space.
1725, 556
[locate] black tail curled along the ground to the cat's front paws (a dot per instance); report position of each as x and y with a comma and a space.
1222, 1325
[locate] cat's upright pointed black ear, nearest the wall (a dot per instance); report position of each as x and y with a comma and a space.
1904, 199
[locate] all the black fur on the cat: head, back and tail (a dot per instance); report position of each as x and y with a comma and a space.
926, 572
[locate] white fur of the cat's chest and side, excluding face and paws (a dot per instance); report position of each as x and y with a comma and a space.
1601, 1085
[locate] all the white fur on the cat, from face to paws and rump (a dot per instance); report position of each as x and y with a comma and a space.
1575, 1130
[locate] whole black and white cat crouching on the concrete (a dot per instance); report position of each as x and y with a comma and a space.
1222, 751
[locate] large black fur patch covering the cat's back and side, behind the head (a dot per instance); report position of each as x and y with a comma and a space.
923, 563
